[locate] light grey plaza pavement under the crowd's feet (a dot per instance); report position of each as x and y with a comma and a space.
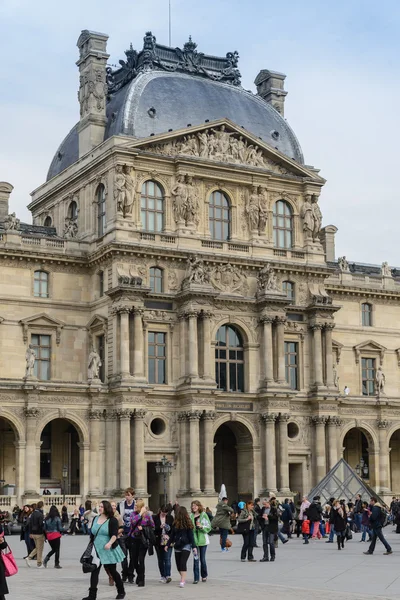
299, 573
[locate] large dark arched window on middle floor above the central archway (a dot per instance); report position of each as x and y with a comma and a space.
229, 360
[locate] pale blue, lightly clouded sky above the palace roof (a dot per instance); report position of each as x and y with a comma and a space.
342, 64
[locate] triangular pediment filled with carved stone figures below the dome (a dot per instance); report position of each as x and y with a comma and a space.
224, 142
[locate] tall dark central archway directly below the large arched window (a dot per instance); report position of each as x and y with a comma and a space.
234, 460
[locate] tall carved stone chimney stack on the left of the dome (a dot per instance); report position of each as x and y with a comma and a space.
92, 93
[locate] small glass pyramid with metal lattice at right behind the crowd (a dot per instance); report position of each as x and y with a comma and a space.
342, 482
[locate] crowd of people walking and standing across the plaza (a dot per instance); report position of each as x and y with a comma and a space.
125, 533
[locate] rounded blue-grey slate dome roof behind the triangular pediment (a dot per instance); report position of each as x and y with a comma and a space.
155, 102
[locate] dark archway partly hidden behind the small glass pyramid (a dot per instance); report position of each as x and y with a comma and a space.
358, 451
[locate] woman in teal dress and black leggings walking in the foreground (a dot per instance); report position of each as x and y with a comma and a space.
104, 534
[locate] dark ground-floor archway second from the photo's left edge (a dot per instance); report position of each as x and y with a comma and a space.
59, 458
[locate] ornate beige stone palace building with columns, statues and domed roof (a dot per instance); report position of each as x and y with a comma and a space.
177, 295
